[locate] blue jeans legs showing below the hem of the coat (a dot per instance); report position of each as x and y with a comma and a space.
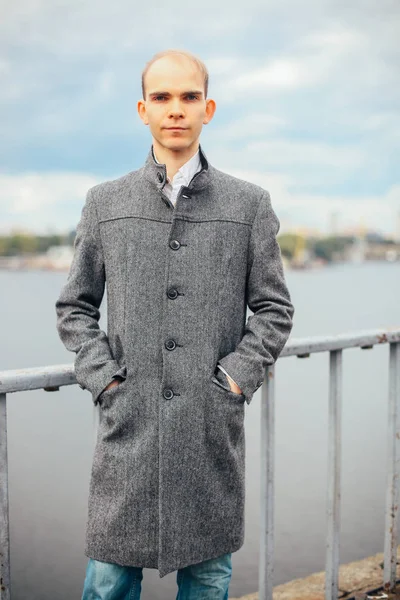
208, 580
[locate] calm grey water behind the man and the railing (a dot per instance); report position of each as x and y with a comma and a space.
50, 438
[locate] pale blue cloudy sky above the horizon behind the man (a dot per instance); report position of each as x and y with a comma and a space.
307, 94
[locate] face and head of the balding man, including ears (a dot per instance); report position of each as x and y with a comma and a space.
175, 98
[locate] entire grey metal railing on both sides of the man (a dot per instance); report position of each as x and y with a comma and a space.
53, 377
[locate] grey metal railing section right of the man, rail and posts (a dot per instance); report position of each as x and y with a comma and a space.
303, 348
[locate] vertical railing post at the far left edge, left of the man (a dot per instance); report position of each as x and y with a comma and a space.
5, 591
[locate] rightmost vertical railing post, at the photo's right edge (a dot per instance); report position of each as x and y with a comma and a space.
393, 457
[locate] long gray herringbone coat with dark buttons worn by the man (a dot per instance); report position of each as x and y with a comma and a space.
167, 485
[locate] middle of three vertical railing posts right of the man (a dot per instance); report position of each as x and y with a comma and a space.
334, 466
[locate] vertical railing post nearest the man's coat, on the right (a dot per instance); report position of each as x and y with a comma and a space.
266, 562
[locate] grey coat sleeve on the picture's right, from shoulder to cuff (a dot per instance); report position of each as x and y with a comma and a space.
267, 296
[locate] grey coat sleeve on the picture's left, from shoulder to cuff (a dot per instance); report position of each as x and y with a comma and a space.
77, 308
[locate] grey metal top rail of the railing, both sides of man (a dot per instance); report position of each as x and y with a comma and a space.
19, 380
